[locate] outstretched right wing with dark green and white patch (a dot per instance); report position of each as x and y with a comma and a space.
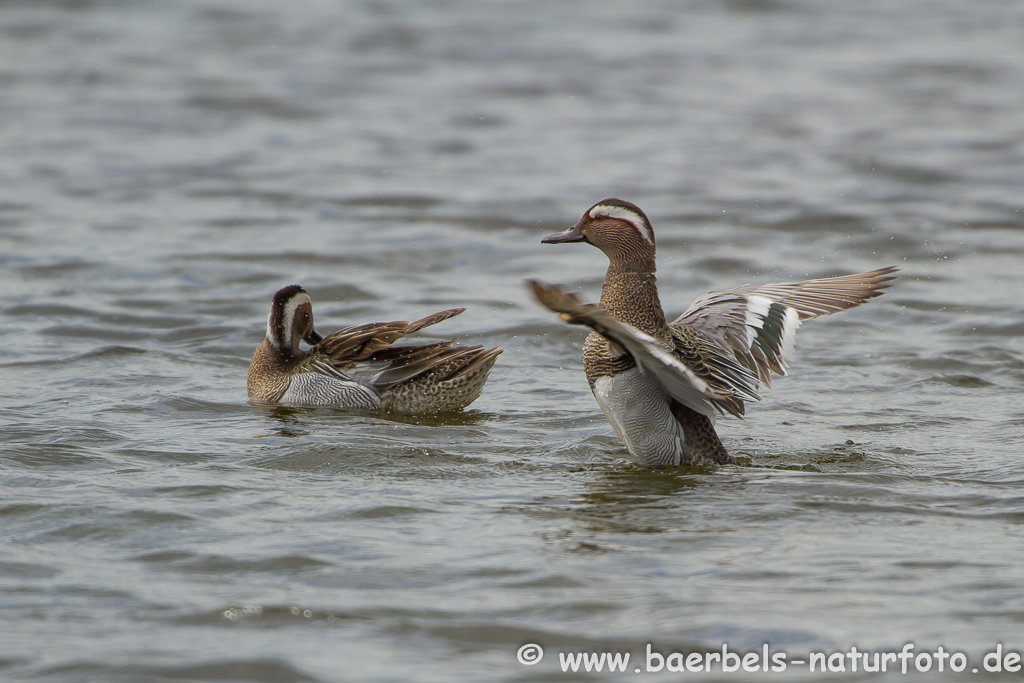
758, 323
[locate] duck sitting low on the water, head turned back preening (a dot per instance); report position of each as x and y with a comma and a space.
359, 367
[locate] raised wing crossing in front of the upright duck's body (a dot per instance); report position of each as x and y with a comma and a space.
696, 374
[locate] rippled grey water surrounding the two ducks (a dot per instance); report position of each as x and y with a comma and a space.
166, 167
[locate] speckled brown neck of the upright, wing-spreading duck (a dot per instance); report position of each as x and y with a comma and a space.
630, 294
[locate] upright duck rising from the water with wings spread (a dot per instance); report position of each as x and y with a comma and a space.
662, 385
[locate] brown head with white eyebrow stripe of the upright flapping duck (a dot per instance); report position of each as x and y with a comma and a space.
619, 229
